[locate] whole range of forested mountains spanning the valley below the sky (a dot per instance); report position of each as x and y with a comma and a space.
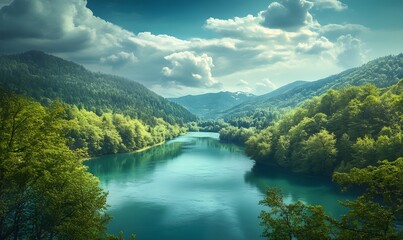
46, 77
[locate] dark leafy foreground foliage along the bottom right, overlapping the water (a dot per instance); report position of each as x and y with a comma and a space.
373, 215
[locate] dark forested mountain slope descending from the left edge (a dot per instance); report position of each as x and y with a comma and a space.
45, 77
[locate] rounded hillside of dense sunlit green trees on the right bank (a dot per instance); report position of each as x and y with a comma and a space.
351, 127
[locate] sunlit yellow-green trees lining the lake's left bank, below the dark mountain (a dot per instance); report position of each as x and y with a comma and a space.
113, 133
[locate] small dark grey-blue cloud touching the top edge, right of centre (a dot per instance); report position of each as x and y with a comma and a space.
287, 14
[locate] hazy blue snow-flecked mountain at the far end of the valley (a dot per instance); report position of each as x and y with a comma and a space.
210, 105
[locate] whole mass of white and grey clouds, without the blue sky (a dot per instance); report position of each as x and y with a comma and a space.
274, 43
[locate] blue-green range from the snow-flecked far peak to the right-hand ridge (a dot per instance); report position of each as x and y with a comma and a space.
381, 72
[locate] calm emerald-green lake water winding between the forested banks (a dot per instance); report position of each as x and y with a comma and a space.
195, 187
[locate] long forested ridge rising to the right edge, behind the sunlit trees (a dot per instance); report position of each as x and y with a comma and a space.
381, 72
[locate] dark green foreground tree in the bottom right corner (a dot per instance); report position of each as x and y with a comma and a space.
374, 214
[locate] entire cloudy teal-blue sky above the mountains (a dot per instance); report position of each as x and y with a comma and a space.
181, 47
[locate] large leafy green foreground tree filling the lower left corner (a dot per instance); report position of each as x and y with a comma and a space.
45, 191
